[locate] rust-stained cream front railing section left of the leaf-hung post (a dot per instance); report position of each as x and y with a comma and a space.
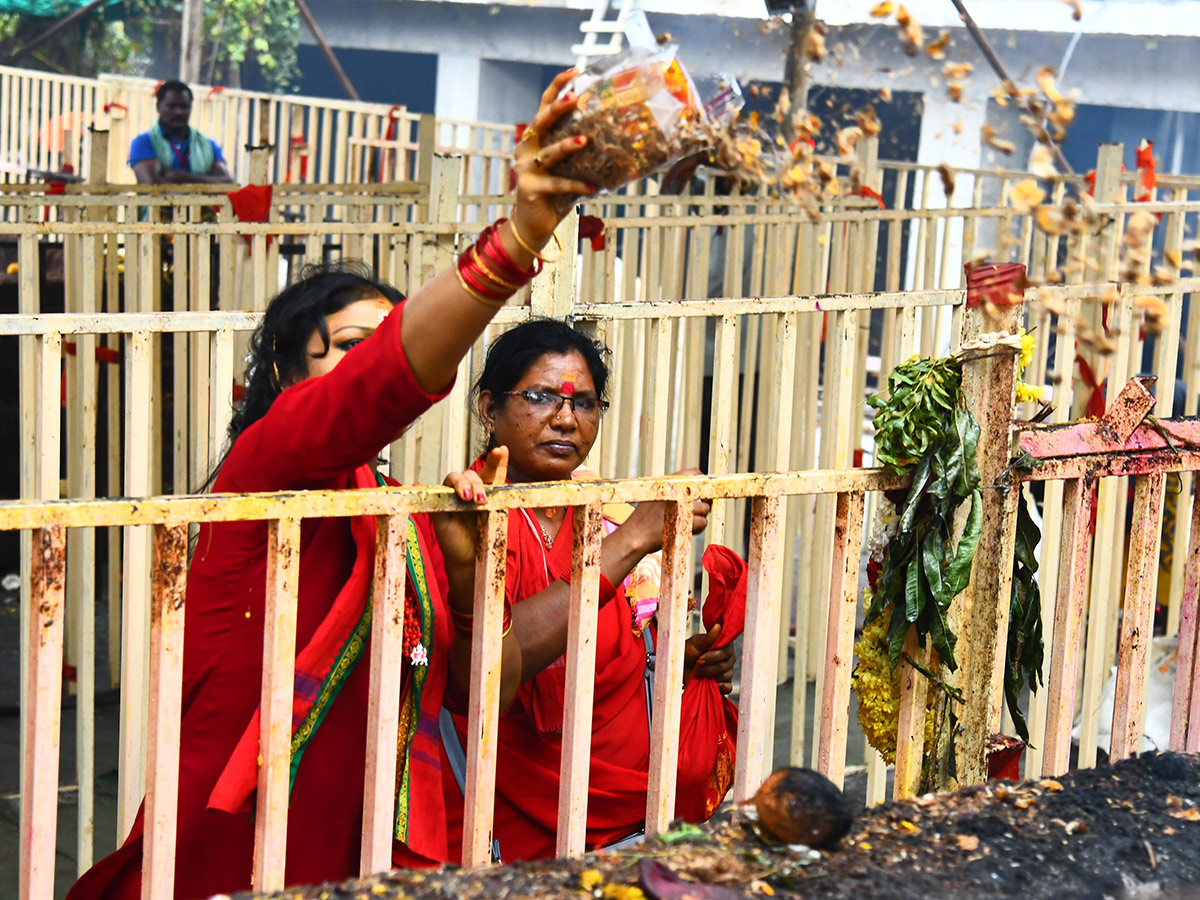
170, 518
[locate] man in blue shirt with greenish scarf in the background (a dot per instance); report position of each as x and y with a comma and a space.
173, 153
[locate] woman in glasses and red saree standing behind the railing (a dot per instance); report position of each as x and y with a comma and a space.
542, 397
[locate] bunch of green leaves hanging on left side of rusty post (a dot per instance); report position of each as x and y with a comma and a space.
923, 428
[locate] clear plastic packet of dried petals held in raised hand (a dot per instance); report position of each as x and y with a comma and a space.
640, 111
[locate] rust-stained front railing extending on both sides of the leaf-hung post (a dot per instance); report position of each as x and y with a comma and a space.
157, 584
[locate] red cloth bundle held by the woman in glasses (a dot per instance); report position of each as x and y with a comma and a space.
710, 735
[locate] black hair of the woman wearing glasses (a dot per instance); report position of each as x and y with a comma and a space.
515, 352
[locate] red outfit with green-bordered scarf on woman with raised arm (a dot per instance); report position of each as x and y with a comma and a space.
308, 441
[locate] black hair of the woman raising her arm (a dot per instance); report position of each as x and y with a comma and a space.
278, 355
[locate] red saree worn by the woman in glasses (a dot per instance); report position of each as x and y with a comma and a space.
530, 748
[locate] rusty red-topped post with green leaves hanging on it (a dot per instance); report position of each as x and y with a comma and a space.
980, 615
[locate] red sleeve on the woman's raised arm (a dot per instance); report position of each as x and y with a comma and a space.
323, 428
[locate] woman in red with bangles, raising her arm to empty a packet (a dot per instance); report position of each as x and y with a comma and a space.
316, 415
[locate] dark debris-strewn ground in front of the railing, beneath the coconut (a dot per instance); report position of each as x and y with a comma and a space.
1126, 832
